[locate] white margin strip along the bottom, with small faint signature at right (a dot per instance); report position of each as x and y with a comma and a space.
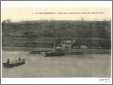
57, 80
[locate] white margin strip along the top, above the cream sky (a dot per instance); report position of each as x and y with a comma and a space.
55, 3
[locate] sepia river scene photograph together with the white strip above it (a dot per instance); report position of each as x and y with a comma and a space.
56, 40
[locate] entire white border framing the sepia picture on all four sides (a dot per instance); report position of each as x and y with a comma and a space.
73, 80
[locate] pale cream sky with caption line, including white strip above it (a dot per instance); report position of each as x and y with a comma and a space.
16, 11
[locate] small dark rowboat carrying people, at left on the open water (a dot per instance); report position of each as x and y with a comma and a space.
9, 65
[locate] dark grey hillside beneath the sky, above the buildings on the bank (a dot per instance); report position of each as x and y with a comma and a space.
20, 33
